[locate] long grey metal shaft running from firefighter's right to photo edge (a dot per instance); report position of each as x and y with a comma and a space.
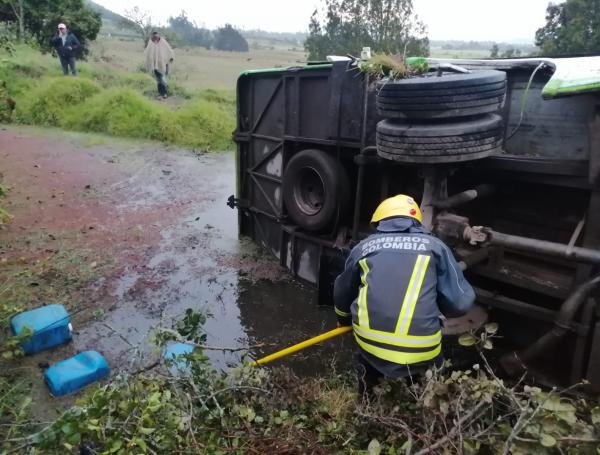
544, 247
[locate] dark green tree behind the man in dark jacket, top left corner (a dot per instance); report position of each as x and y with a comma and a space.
40, 18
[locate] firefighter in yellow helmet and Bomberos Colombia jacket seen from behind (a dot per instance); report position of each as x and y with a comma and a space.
394, 287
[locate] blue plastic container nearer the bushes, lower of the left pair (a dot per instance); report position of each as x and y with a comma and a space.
75, 373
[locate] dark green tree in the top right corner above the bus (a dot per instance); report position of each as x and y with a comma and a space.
572, 27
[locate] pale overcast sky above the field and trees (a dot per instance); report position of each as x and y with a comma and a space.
494, 20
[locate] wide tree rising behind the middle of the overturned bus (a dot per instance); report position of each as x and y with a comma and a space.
388, 26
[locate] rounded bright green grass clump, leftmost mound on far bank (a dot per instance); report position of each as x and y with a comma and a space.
46, 104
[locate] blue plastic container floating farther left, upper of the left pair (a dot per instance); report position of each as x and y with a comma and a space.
50, 325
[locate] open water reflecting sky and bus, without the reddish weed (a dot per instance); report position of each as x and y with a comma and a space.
202, 264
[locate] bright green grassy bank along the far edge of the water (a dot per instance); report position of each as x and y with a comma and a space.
104, 100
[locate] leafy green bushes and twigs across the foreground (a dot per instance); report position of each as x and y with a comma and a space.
255, 410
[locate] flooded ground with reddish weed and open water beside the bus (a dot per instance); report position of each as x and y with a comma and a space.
129, 236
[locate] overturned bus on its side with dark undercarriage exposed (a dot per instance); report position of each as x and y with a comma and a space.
503, 156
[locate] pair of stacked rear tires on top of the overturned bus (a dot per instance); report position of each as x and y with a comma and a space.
441, 119
